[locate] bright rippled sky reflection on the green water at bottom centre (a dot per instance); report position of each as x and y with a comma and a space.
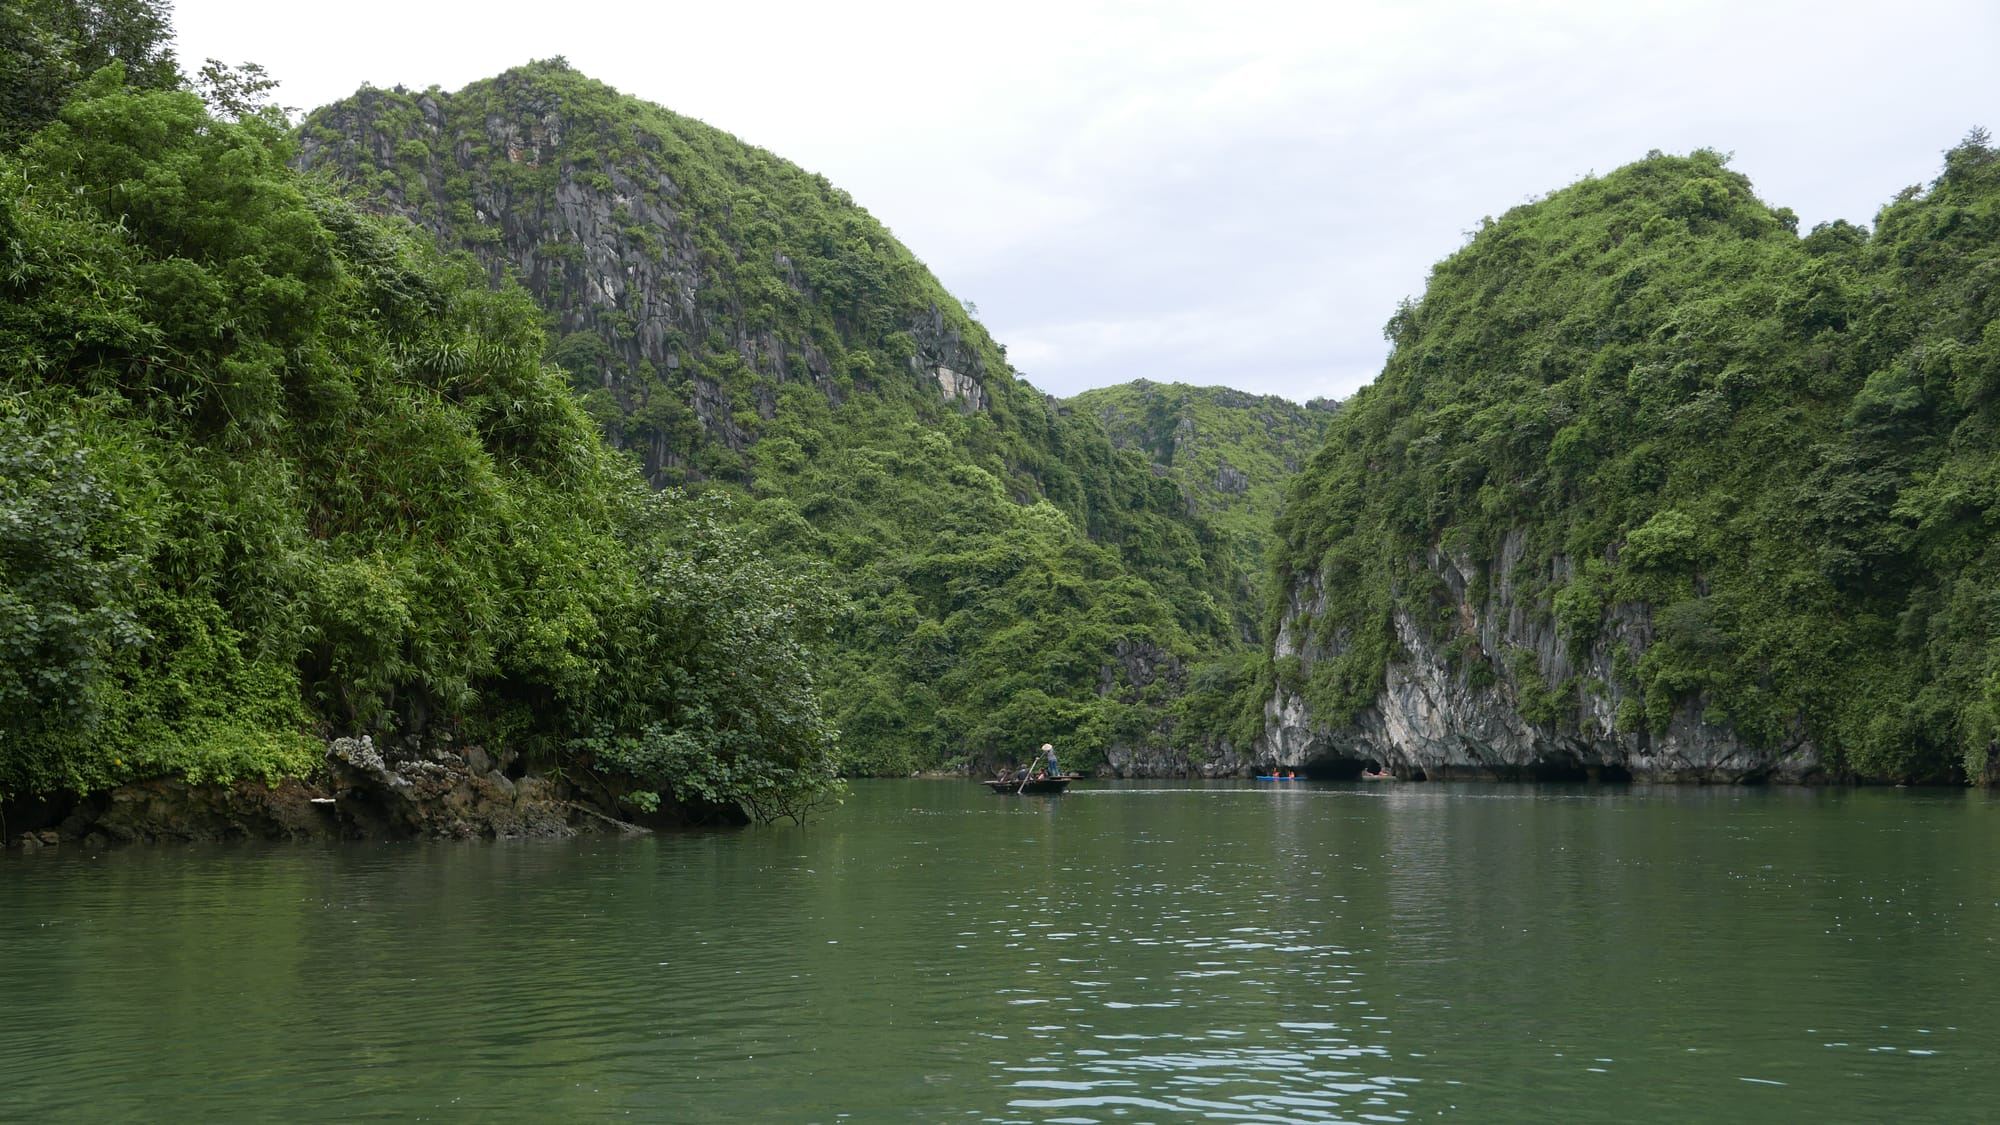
1121, 1038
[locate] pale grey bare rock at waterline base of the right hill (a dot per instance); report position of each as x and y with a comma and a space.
1461, 718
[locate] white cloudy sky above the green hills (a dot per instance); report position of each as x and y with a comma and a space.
1223, 193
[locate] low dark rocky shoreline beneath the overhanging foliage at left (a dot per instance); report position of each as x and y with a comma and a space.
363, 794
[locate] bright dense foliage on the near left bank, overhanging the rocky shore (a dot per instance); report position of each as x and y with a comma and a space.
273, 469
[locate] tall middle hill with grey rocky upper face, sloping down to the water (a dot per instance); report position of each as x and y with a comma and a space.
1007, 574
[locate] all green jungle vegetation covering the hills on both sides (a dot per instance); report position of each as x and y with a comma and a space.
653, 451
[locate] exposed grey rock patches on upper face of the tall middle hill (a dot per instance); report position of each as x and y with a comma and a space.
611, 249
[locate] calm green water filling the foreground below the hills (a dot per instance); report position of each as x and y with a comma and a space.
1151, 952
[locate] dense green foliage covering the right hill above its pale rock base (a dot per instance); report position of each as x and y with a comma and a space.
1781, 447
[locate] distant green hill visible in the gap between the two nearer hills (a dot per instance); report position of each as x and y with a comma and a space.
1229, 451
